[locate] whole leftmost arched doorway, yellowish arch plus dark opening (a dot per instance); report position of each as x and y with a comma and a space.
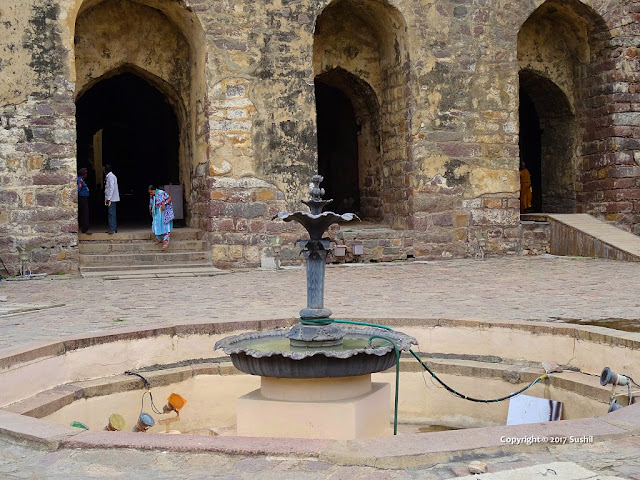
135, 52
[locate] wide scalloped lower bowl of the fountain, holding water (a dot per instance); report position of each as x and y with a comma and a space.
269, 354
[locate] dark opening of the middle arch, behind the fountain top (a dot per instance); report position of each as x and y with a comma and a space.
337, 148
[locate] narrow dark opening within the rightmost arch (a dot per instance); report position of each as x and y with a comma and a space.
530, 144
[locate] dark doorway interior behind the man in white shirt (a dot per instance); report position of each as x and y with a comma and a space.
136, 129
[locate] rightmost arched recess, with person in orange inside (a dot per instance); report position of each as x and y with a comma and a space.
560, 45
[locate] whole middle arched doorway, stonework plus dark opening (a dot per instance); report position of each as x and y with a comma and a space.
360, 63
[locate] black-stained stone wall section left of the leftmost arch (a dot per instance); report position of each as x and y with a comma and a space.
38, 197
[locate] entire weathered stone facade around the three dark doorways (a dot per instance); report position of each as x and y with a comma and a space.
439, 136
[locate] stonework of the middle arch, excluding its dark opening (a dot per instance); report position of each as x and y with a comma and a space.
360, 47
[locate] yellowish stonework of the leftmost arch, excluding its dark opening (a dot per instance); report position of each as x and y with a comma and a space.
161, 42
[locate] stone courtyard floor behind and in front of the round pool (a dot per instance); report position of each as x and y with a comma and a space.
518, 288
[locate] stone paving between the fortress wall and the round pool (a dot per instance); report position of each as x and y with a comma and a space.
541, 288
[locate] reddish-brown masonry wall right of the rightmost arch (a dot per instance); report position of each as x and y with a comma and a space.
611, 149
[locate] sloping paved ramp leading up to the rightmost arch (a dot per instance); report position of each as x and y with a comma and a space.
583, 235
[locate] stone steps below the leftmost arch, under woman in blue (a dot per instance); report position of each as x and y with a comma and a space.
134, 251
